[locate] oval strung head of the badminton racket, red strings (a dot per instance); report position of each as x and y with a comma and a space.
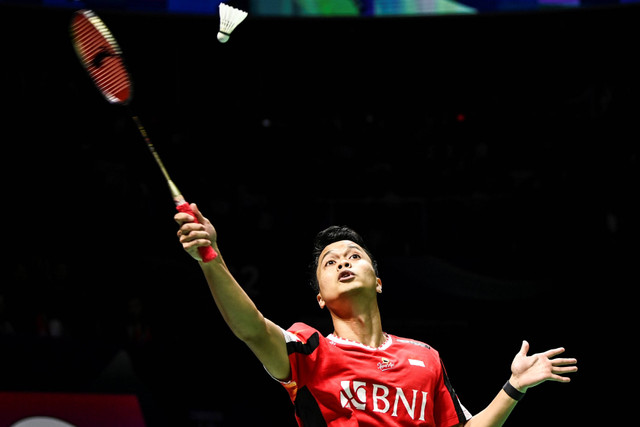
101, 56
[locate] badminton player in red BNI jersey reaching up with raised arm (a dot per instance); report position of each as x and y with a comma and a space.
358, 375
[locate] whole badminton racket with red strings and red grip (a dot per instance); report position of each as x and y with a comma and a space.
101, 56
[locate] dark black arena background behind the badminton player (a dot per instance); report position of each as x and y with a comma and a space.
491, 161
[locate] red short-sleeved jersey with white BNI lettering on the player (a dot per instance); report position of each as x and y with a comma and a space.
337, 382
